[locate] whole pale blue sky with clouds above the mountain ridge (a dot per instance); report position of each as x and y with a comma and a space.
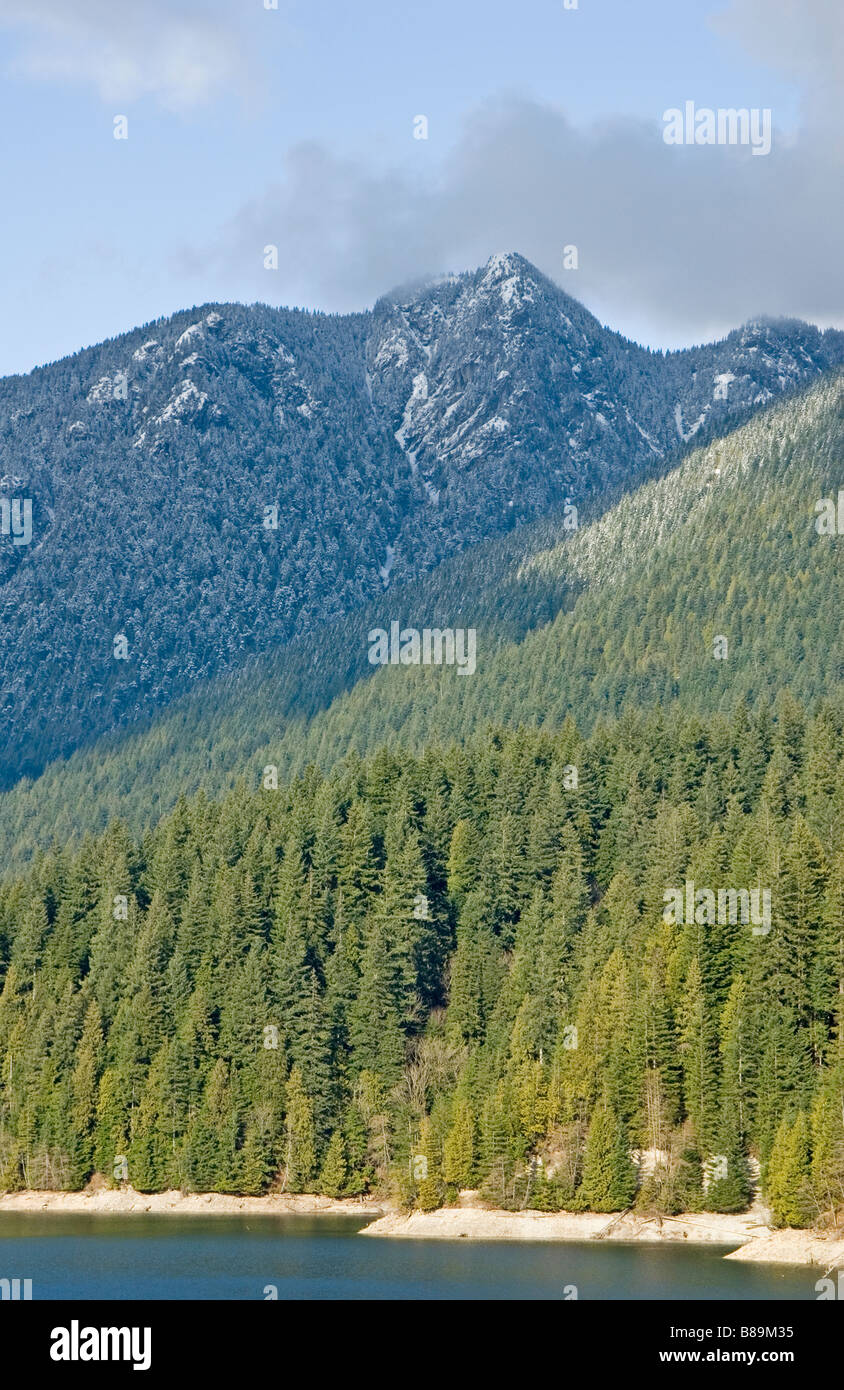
294, 127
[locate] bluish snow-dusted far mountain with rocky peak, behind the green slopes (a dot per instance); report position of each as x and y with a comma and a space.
220, 483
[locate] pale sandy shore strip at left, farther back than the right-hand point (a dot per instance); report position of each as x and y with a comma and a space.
122, 1202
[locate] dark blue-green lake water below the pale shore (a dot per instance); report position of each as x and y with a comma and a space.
325, 1259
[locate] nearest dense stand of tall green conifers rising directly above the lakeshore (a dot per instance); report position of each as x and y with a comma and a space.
429, 974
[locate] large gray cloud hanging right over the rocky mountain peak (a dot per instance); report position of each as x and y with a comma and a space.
688, 243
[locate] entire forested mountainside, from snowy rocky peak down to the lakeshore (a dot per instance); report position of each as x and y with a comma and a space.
432, 950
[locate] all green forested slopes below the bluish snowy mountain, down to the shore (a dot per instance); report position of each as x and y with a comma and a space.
590, 904
